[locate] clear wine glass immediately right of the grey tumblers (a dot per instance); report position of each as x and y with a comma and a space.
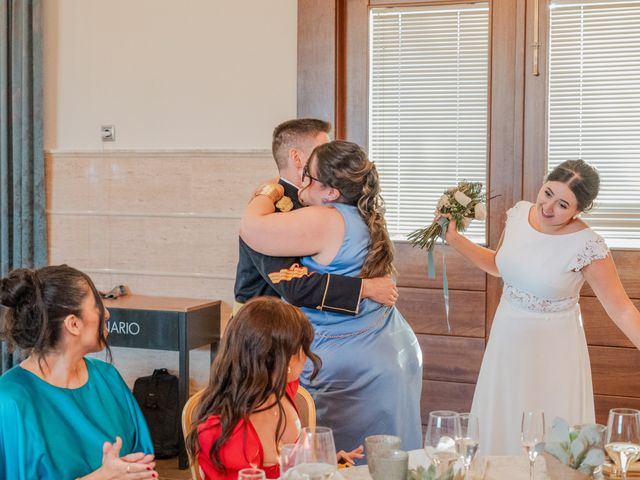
440, 440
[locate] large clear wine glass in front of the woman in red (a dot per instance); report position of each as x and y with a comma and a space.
316, 454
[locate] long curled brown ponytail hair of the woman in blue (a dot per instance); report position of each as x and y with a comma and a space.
345, 167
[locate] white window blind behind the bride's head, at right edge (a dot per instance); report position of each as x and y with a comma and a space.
594, 105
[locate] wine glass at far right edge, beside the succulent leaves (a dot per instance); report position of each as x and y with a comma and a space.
623, 438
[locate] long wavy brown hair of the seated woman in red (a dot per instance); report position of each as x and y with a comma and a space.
250, 367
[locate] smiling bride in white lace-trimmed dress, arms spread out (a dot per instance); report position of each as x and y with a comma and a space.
537, 357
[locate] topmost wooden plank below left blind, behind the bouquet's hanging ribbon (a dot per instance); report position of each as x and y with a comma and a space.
411, 263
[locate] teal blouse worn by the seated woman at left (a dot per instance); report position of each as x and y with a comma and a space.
47, 432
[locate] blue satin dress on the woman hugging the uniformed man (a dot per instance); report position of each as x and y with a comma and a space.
371, 377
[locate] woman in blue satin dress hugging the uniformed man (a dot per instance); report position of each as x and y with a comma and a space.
371, 375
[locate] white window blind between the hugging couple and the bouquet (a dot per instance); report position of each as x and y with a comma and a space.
428, 107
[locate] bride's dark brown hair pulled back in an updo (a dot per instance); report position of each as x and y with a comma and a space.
582, 179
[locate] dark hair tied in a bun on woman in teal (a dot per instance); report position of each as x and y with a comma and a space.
37, 303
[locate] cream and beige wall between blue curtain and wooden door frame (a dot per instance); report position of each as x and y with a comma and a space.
197, 86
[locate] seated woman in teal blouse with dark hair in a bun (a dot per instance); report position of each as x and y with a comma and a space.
60, 411
